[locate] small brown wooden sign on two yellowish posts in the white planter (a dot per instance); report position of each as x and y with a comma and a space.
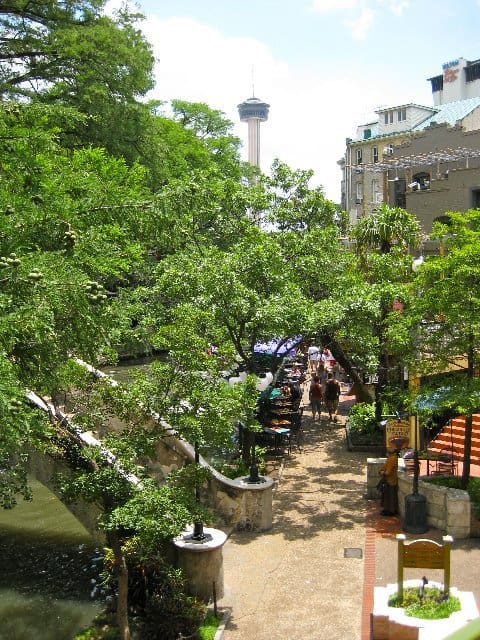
425, 554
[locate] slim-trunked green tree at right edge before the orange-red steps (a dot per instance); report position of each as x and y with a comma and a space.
446, 316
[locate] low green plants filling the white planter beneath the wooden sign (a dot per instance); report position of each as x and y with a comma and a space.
432, 606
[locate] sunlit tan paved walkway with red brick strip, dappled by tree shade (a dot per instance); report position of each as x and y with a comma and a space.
312, 575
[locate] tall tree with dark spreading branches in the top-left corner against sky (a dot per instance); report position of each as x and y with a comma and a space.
70, 53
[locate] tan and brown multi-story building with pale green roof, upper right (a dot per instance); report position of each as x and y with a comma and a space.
410, 149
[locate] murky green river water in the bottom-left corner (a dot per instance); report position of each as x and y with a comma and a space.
49, 568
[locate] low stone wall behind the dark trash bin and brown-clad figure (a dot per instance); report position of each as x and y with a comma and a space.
447, 509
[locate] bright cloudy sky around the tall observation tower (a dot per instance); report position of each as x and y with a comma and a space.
323, 66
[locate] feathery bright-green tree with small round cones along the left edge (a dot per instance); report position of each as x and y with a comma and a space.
66, 245
